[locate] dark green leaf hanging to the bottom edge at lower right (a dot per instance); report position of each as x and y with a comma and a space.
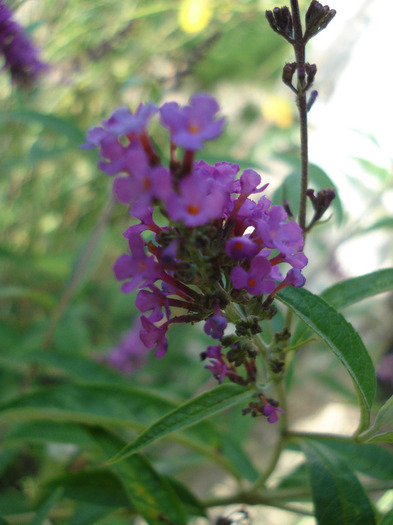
338, 496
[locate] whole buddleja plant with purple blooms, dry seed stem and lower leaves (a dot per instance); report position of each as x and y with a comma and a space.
206, 245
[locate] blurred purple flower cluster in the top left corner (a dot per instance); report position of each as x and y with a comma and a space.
20, 55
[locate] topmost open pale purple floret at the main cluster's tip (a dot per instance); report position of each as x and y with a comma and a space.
191, 125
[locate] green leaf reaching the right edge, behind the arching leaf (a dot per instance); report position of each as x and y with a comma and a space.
354, 290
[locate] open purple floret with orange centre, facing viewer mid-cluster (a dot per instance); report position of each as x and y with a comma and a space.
199, 201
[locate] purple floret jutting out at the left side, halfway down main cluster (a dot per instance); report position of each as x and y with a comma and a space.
140, 268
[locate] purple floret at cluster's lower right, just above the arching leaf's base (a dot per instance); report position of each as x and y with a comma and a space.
257, 280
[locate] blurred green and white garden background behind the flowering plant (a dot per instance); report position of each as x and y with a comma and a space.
60, 231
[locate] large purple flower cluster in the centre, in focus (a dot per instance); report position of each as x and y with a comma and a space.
222, 242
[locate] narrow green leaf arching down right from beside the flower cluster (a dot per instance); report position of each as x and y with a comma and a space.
341, 337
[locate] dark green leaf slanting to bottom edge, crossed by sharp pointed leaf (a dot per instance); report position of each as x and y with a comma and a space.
149, 492
